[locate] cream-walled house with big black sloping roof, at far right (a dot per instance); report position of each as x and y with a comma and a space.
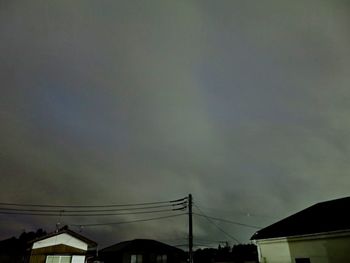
320, 233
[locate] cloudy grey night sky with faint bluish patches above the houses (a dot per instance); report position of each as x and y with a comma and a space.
243, 104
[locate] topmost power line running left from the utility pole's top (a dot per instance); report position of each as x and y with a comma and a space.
92, 206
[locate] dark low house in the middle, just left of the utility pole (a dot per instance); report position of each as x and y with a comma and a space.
142, 251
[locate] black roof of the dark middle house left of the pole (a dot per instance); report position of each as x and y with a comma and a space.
144, 244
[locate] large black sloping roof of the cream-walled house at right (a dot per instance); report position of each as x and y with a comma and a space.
322, 217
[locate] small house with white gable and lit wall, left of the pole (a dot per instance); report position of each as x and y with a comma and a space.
63, 246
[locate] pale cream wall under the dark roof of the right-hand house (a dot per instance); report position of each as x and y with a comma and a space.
332, 248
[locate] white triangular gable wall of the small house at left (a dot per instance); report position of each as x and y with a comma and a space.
63, 238
